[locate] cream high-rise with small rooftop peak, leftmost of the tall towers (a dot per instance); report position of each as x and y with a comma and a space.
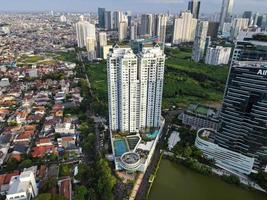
84, 29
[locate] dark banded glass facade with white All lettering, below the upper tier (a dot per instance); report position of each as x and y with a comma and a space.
243, 118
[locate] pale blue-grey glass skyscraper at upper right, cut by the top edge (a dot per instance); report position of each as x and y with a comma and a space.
226, 12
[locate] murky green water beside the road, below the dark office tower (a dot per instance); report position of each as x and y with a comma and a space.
175, 182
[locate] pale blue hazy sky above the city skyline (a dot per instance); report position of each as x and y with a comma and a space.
174, 6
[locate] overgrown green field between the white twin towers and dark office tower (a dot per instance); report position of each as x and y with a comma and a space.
189, 82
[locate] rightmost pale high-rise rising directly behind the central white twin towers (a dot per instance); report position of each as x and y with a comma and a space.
160, 27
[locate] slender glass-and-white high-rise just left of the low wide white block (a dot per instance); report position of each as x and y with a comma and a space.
200, 40
